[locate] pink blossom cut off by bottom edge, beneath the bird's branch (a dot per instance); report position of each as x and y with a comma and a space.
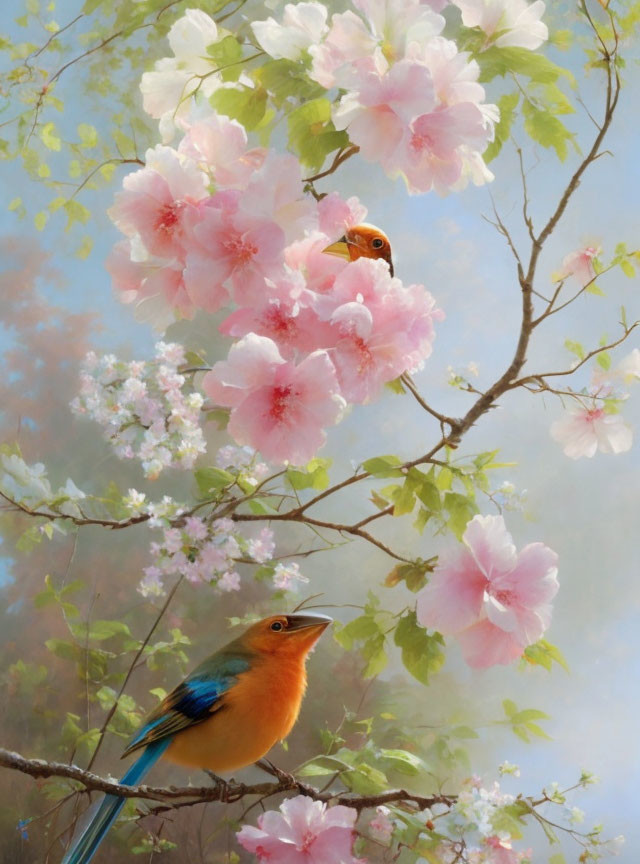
303, 832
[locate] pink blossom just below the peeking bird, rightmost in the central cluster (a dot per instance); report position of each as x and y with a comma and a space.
382, 328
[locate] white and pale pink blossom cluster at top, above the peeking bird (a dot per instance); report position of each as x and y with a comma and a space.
413, 102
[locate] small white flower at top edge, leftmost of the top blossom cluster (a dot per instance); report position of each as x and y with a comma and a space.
303, 25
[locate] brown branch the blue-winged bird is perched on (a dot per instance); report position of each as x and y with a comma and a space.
223, 792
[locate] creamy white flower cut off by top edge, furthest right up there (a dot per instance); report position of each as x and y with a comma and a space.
516, 22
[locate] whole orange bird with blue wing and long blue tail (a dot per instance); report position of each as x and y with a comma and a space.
228, 713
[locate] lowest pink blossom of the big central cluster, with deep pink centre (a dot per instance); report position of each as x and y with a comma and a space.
276, 407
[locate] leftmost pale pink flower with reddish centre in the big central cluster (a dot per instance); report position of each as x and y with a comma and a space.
154, 199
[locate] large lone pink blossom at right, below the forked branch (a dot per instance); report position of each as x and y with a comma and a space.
494, 600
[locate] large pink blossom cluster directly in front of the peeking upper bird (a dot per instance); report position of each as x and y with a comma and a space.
315, 332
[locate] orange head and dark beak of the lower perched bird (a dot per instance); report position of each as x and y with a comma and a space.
292, 635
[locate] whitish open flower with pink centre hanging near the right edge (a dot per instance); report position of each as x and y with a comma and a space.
583, 430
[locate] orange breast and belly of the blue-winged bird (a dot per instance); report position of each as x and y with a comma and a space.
256, 713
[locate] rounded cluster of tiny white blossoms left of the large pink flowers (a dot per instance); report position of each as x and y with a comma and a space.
149, 411
